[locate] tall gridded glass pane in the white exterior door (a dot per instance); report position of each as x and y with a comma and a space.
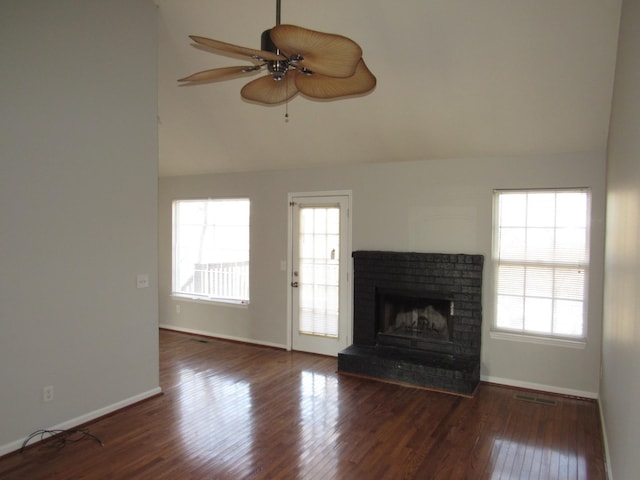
319, 270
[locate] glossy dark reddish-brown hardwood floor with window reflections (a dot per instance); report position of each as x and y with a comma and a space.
232, 411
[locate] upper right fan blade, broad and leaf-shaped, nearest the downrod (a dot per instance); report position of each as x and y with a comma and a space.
324, 53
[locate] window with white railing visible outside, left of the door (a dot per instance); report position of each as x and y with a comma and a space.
211, 249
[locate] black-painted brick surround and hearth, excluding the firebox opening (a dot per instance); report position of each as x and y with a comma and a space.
454, 276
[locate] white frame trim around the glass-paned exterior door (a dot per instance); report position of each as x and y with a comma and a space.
347, 253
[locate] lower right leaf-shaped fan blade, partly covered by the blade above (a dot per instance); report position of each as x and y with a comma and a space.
324, 87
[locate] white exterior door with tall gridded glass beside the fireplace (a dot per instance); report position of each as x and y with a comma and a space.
320, 277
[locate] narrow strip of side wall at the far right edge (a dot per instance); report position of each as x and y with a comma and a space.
620, 391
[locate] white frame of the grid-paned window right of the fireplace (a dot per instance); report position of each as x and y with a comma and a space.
522, 334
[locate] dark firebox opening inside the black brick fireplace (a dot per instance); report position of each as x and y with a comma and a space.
414, 319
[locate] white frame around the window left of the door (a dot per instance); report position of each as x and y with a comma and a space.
200, 297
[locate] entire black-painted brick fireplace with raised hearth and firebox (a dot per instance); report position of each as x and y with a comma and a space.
417, 319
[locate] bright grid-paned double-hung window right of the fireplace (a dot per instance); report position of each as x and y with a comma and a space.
541, 259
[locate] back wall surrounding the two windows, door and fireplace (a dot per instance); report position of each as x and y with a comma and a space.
429, 206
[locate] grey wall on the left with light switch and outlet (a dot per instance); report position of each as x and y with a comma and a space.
78, 210
